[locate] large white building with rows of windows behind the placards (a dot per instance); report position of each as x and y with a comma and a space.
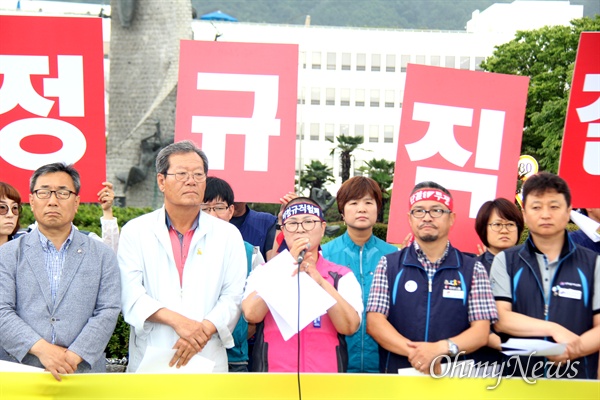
351, 80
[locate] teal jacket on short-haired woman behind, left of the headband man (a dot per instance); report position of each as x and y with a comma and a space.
363, 351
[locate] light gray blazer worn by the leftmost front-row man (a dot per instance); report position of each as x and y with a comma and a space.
87, 303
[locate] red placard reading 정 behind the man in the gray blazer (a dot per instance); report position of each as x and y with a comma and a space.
52, 99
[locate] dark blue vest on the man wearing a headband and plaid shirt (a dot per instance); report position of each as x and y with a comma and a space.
426, 311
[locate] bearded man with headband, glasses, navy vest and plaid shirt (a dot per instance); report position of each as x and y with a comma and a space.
429, 300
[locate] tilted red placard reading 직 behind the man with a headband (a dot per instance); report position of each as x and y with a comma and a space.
461, 129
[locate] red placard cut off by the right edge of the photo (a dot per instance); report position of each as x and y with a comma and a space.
580, 153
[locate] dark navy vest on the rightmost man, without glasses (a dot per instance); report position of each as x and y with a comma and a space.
575, 271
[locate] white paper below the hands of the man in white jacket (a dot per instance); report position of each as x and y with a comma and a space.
156, 361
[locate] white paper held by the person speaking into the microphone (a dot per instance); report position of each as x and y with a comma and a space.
279, 289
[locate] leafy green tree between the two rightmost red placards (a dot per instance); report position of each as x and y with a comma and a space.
547, 56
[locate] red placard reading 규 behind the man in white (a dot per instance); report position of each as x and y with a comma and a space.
237, 101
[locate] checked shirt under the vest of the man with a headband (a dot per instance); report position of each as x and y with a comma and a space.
481, 304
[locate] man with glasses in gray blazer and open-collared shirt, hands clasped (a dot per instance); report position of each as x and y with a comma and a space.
59, 289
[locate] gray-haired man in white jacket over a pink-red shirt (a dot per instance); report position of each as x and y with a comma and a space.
182, 271
